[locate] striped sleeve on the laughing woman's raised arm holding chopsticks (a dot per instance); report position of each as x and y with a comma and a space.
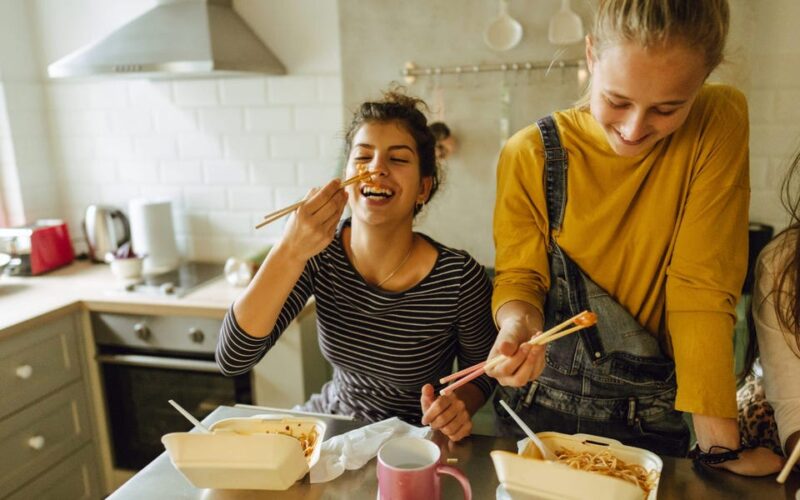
237, 351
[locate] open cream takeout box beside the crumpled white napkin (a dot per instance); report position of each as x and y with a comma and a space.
255, 453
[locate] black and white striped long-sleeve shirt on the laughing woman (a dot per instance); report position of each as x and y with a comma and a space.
383, 346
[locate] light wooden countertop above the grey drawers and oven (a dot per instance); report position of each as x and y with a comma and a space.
32, 298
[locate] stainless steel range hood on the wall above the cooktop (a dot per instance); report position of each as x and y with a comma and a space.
177, 38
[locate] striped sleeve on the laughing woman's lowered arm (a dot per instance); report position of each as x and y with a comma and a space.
476, 329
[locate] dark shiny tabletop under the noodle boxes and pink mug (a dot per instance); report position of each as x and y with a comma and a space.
679, 479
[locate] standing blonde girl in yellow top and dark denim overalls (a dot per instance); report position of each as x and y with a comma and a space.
634, 205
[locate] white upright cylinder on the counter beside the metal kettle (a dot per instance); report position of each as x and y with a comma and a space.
153, 234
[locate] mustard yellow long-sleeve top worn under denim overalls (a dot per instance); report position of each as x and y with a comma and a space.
664, 233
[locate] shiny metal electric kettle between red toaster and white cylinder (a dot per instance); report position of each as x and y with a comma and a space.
106, 229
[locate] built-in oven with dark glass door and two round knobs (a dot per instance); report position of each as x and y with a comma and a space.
144, 361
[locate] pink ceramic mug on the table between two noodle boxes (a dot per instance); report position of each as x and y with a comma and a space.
409, 469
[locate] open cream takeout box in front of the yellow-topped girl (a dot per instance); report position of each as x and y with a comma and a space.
526, 475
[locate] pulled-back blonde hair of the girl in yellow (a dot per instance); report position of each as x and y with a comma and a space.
702, 24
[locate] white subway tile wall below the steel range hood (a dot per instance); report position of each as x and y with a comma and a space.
226, 151
